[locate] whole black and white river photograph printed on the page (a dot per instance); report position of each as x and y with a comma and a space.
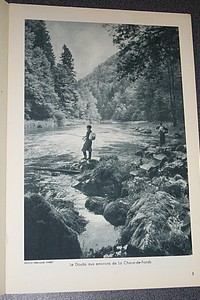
105, 152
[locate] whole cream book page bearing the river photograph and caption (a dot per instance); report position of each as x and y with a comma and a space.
119, 211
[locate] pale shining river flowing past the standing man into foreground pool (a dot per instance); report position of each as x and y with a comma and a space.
57, 147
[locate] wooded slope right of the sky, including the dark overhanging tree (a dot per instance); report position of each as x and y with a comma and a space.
143, 80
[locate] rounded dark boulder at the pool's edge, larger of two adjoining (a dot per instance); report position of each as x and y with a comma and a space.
115, 212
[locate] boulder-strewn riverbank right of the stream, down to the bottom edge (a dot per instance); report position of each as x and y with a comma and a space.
147, 197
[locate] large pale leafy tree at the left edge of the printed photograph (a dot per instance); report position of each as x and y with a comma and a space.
40, 97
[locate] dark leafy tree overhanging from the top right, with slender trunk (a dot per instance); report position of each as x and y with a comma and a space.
145, 51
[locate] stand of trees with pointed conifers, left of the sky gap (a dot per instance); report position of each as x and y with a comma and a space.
51, 89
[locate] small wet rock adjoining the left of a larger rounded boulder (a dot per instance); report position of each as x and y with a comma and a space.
96, 204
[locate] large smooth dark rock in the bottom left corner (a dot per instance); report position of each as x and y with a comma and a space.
46, 234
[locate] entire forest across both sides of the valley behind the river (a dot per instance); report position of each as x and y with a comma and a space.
141, 82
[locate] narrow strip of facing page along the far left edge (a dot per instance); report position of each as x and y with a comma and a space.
3, 103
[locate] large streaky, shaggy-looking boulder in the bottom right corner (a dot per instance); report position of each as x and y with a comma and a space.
154, 227
